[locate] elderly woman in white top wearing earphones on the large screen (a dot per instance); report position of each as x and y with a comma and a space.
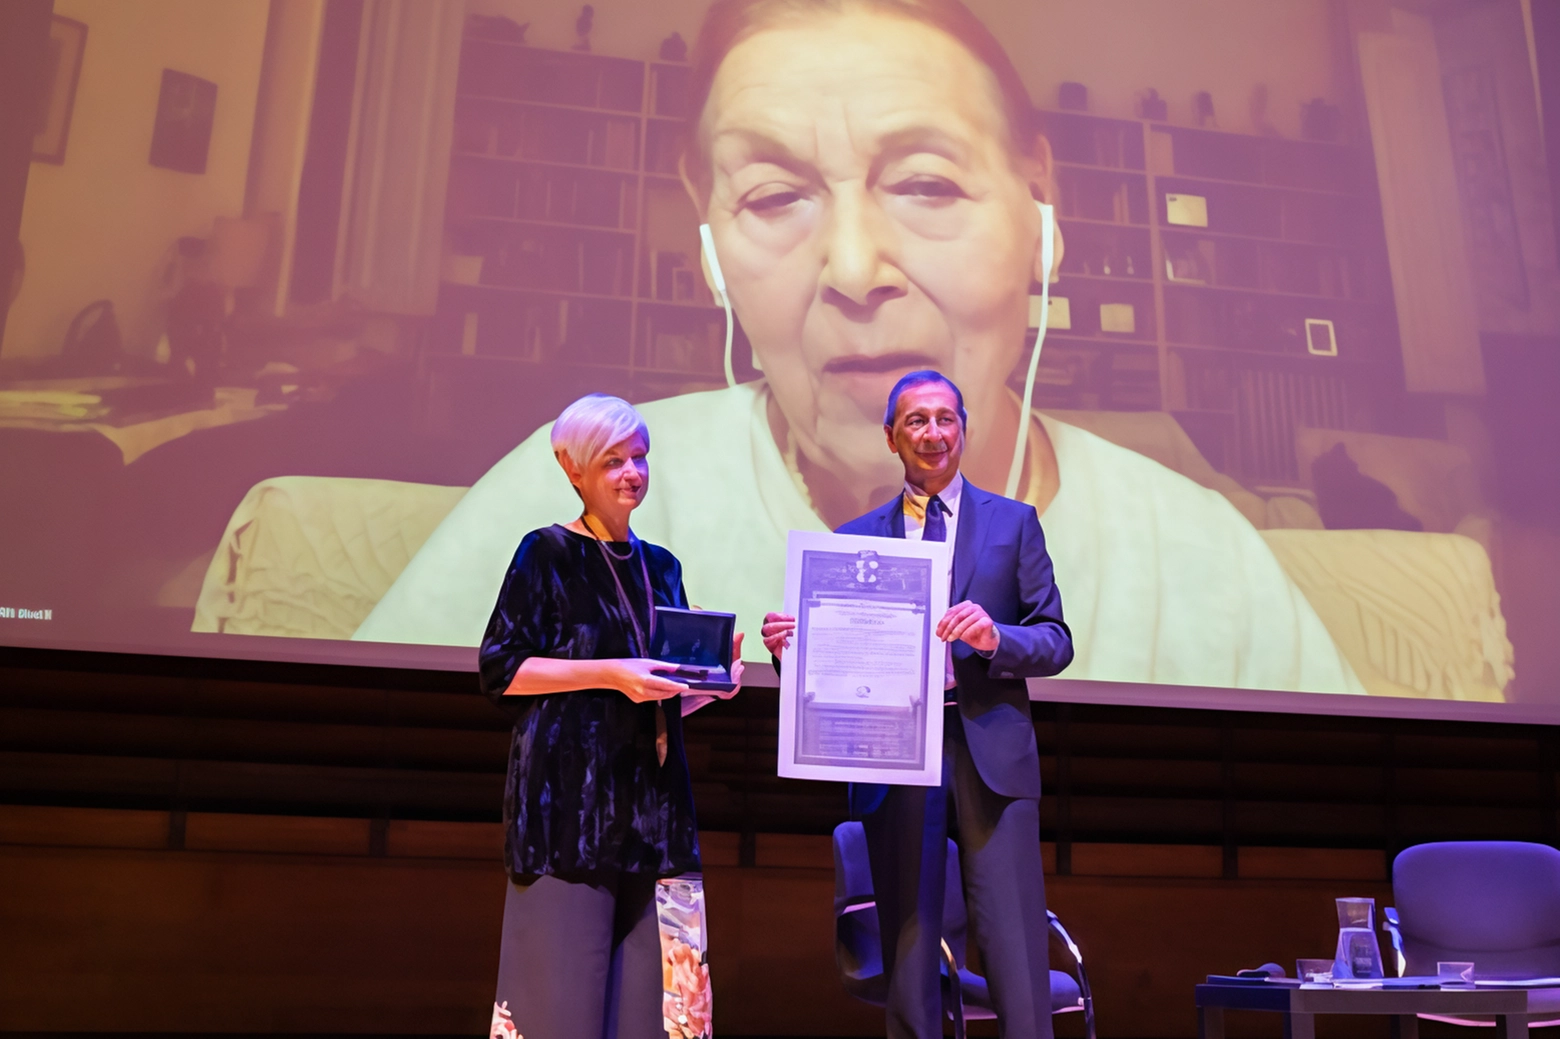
870, 172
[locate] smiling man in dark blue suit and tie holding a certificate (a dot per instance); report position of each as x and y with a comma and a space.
1005, 626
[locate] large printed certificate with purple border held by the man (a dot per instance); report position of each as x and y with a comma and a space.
862, 684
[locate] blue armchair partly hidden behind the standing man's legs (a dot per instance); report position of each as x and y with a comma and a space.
859, 946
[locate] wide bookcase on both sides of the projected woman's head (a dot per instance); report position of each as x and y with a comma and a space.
573, 247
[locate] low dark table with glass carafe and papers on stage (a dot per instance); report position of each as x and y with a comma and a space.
1300, 1005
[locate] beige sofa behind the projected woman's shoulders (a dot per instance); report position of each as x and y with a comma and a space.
1416, 614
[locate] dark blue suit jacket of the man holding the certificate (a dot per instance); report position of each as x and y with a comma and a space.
1001, 564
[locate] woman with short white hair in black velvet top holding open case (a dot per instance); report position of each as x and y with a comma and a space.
598, 804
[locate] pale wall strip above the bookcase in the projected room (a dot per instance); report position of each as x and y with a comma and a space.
1115, 48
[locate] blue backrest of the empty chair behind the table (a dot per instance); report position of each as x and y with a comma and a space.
1491, 902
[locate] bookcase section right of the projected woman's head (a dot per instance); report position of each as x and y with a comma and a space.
1200, 269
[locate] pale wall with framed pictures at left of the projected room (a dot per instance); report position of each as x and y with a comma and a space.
102, 225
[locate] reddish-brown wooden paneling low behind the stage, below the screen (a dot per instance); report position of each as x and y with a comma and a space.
239, 941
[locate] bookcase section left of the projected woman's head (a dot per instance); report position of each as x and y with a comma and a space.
570, 241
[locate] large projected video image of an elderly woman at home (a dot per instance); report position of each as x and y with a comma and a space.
1291, 419
